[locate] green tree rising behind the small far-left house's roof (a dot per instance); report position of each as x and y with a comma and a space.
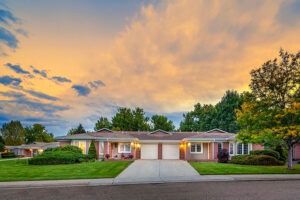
37, 133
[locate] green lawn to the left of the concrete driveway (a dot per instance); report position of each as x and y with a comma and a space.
19, 170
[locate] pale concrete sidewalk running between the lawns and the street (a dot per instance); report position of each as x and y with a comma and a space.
115, 181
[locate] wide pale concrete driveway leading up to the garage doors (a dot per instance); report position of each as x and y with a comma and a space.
157, 171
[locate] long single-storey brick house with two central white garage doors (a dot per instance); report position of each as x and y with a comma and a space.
160, 144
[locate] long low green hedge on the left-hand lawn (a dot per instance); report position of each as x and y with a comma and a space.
58, 157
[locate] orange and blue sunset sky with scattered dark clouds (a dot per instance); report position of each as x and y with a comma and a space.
64, 62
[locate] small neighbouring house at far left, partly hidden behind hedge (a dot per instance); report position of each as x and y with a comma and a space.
30, 150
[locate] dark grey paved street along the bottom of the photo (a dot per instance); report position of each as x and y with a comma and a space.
198, 190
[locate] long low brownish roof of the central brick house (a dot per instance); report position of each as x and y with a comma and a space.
146, 135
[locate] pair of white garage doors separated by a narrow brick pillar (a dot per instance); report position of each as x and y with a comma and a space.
166, 151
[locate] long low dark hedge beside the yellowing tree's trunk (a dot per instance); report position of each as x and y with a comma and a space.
255, 160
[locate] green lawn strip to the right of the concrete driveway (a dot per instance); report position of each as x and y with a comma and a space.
211, 168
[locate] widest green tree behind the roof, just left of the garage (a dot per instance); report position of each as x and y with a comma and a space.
130, 120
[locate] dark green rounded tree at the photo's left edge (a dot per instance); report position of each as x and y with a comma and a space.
13, 133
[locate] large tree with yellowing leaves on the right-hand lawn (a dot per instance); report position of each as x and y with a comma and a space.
274, 112
